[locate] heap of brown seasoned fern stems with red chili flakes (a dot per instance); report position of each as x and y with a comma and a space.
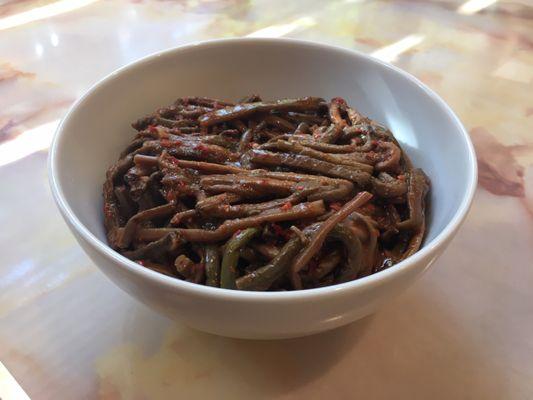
264, 195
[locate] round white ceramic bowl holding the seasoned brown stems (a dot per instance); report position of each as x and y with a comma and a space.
97, 128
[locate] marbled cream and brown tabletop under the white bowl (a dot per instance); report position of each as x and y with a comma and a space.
463, 331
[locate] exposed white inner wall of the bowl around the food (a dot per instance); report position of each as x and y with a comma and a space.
98, 127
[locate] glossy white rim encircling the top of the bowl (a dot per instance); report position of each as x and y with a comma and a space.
379, 278
